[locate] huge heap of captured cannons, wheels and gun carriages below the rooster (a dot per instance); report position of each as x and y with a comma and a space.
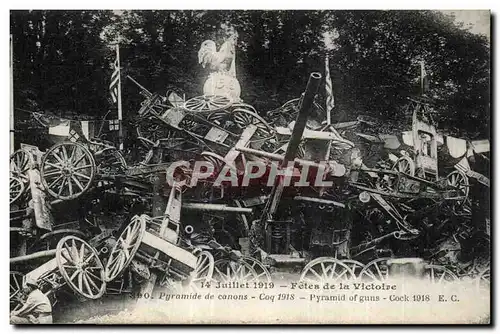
87, 222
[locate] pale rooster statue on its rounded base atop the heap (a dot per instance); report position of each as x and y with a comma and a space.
222, 79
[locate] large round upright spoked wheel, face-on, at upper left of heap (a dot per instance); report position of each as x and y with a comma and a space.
67, 170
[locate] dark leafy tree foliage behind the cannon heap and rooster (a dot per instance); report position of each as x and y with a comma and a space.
63, 59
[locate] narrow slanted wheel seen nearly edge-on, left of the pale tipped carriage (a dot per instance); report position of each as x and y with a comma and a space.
125, 248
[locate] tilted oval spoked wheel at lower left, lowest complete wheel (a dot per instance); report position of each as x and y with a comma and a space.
80, 267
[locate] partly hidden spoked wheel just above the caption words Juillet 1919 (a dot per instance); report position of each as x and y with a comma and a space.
226, 271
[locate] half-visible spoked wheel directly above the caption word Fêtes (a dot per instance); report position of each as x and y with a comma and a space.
326, 270
